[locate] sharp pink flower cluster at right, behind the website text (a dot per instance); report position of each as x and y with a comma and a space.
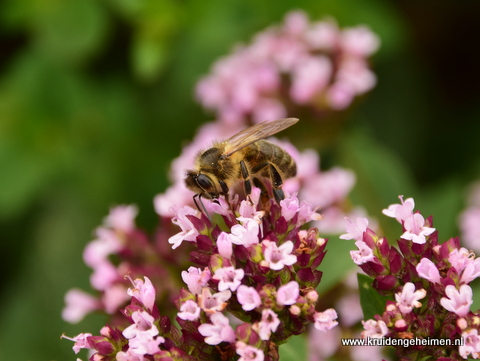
429, 281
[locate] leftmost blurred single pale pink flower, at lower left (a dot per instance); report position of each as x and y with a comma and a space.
78, 304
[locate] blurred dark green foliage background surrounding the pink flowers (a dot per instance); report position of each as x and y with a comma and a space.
96, 98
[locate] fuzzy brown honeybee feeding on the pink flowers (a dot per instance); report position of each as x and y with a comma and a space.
243, 157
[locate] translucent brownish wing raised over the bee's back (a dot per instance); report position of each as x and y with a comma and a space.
256, 132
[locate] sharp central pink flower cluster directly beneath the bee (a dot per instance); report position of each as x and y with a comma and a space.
255, 267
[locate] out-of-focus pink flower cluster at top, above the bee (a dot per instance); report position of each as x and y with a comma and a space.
296, 64
